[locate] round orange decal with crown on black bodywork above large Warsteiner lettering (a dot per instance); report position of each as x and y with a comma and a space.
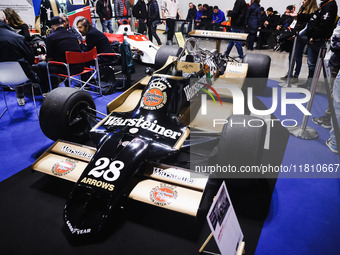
155, 97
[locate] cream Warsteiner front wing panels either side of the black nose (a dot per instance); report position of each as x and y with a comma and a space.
161, 185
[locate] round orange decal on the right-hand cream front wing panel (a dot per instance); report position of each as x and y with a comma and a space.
163, 194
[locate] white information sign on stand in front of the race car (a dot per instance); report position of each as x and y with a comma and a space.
224, 225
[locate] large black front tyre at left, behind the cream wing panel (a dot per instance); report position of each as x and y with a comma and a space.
61, 114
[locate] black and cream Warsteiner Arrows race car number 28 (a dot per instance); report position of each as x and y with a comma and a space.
145, 146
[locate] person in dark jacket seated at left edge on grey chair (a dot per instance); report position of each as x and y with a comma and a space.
14, 47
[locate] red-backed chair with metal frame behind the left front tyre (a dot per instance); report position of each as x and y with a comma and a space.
78, 58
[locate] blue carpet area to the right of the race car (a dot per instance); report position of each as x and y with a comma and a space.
304, 212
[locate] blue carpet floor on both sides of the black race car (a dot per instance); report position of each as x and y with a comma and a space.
304, 212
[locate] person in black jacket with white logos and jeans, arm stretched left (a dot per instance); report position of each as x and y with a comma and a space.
319, 29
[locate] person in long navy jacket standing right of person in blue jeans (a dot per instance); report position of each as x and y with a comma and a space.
253, 22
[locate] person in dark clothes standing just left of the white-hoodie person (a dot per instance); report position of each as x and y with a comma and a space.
153, 20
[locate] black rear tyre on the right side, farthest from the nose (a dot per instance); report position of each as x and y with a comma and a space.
258, 71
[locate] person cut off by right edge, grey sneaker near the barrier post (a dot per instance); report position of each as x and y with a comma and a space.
334, 66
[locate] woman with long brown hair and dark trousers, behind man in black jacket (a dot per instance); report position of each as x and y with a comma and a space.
308, 7
